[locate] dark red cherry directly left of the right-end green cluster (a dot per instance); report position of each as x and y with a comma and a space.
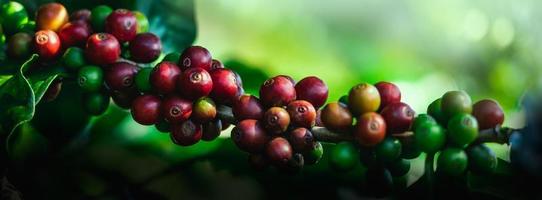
398, 116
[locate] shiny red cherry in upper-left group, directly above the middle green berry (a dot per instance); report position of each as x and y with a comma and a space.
102, 49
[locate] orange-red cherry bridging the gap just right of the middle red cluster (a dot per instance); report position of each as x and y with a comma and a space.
336, 117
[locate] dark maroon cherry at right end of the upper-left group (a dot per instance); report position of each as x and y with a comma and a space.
145, 48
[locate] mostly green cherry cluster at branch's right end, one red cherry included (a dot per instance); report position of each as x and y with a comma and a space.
451, 127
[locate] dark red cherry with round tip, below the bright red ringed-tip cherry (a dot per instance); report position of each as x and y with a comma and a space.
176, 109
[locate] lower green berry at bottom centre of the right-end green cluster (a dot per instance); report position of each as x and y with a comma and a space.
452, 161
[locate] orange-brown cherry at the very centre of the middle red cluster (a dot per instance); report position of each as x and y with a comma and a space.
276, 120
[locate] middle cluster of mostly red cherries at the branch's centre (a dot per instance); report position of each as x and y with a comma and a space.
276, 128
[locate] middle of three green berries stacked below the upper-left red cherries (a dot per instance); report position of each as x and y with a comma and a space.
90, 78
